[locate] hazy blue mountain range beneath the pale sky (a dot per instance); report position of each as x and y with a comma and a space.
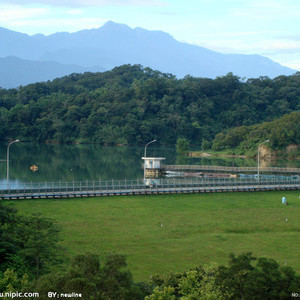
27, 59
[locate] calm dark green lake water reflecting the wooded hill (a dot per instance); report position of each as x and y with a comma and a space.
94, 162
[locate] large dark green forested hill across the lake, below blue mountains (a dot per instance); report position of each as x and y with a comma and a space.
132, 105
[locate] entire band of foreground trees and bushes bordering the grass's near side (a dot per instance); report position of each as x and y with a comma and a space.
32, 260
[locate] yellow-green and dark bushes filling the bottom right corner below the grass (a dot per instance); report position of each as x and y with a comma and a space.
241, 279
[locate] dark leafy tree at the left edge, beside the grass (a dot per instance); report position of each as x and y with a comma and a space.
29, 245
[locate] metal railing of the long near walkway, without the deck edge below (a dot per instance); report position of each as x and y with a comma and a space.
140, 184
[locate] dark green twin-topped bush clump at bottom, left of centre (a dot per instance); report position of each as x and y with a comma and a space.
85, 276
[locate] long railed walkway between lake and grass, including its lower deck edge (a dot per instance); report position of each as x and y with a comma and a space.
150, 186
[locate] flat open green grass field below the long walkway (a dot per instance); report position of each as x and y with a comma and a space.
164, 233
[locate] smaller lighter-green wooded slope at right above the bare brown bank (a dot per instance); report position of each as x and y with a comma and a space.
281, 133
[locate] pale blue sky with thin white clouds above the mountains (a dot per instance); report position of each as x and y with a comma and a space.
267, 27
